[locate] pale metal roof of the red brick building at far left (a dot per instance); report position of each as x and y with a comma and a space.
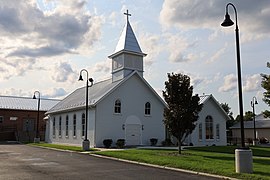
25, 103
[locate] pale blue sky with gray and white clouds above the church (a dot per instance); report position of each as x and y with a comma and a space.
45, 44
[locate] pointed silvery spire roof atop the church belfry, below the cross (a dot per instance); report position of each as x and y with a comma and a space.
128, 42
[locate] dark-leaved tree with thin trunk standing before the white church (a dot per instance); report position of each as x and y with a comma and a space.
182, 108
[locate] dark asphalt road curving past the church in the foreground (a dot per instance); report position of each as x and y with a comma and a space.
22, 162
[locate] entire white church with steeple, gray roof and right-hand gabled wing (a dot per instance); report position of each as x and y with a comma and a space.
126, 107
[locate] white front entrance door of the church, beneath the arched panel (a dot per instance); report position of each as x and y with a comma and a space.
133, 134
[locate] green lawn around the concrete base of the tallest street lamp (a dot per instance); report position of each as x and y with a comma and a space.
214, 160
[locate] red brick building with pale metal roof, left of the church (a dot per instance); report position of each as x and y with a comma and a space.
18, 118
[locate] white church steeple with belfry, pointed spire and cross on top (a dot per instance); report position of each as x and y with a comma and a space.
128, 55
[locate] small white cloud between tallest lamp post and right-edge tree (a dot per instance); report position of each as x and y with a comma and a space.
252, 83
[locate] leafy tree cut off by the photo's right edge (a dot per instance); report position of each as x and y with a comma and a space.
266, 85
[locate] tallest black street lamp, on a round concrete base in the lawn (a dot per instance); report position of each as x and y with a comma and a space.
243, 156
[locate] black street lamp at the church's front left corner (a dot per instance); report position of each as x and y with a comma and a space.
86, 143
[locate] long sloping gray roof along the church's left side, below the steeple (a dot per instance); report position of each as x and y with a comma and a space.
76, 99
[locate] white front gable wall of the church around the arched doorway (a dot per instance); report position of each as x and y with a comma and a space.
133, 95
